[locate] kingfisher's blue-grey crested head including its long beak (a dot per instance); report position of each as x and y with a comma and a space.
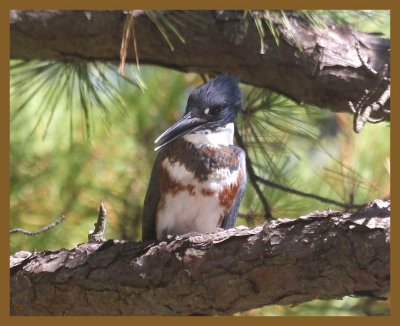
210, 106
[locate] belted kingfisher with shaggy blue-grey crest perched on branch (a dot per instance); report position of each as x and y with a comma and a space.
199, 176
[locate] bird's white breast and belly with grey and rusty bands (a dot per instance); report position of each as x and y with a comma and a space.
197, 191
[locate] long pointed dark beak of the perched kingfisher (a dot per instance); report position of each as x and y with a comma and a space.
185, 125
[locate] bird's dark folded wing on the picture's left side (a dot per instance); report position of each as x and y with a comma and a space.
151, 202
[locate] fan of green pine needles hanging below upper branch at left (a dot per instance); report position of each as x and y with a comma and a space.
81, 88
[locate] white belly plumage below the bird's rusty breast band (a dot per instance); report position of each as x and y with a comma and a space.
197, 209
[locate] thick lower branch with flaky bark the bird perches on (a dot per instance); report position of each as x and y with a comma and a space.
322, 255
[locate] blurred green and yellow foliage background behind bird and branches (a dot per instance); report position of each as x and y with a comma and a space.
67, 158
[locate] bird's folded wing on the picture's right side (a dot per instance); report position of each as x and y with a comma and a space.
230, 218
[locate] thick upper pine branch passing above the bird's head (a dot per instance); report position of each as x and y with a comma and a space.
326, 72
